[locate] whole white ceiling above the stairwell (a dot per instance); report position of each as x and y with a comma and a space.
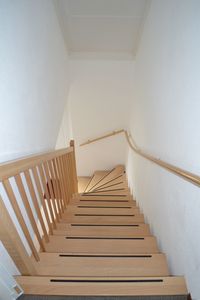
102, 27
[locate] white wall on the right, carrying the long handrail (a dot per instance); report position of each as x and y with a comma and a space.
165, 122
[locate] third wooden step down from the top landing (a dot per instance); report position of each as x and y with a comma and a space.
66, 244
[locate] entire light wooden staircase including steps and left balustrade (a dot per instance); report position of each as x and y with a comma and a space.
94, 243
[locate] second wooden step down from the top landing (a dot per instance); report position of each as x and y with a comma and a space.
54, 264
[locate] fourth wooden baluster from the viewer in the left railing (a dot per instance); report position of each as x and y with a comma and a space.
42, 200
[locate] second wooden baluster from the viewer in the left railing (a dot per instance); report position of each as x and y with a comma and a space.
26, 203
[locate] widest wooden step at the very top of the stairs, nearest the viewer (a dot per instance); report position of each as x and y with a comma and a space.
90, 286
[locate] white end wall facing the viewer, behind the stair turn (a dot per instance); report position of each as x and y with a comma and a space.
99, 97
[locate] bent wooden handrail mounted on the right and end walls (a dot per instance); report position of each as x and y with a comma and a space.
191, 177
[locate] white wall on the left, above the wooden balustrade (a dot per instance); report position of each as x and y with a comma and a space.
33, 81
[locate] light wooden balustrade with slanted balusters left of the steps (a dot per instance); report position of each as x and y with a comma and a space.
35, 190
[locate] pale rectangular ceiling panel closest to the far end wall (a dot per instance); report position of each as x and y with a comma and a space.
103, 34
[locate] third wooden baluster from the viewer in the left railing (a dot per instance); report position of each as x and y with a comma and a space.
35, 203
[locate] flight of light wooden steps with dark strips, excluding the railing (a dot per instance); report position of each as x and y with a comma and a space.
102, 247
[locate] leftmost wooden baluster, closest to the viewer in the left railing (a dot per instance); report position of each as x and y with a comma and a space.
15, 206
